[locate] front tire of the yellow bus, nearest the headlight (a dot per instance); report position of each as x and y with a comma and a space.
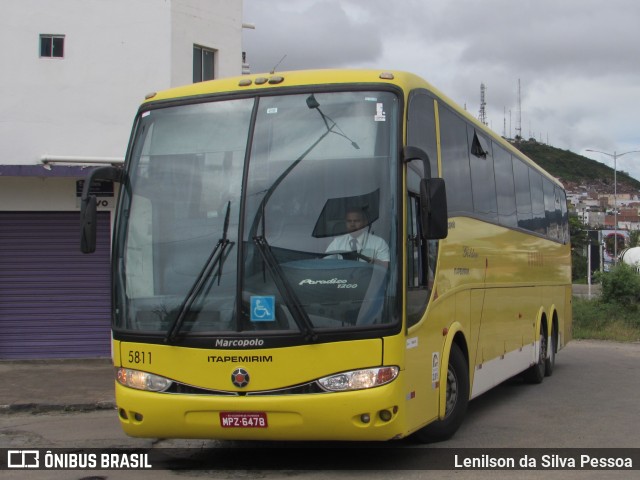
457, 399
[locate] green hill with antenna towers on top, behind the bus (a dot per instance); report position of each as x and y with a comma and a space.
575, 170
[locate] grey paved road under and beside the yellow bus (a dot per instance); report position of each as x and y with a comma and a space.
591, 401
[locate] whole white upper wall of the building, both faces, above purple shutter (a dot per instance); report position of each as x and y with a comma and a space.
116, 51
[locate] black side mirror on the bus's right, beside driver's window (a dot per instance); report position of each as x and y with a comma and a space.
433, 208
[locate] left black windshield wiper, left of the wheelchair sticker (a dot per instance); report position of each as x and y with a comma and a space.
216, 259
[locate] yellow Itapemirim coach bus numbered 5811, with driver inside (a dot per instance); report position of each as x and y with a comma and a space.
326, 255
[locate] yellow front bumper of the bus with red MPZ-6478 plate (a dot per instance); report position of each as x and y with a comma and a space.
375, 414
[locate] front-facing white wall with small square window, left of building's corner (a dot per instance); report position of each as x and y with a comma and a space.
82, 104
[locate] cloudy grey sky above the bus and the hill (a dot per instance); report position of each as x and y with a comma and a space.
578, 61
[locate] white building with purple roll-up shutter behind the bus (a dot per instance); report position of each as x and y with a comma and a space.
73, 75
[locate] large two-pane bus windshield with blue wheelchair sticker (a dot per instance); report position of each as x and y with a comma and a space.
262, 214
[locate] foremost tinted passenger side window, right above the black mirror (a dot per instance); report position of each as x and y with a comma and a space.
455, 161
